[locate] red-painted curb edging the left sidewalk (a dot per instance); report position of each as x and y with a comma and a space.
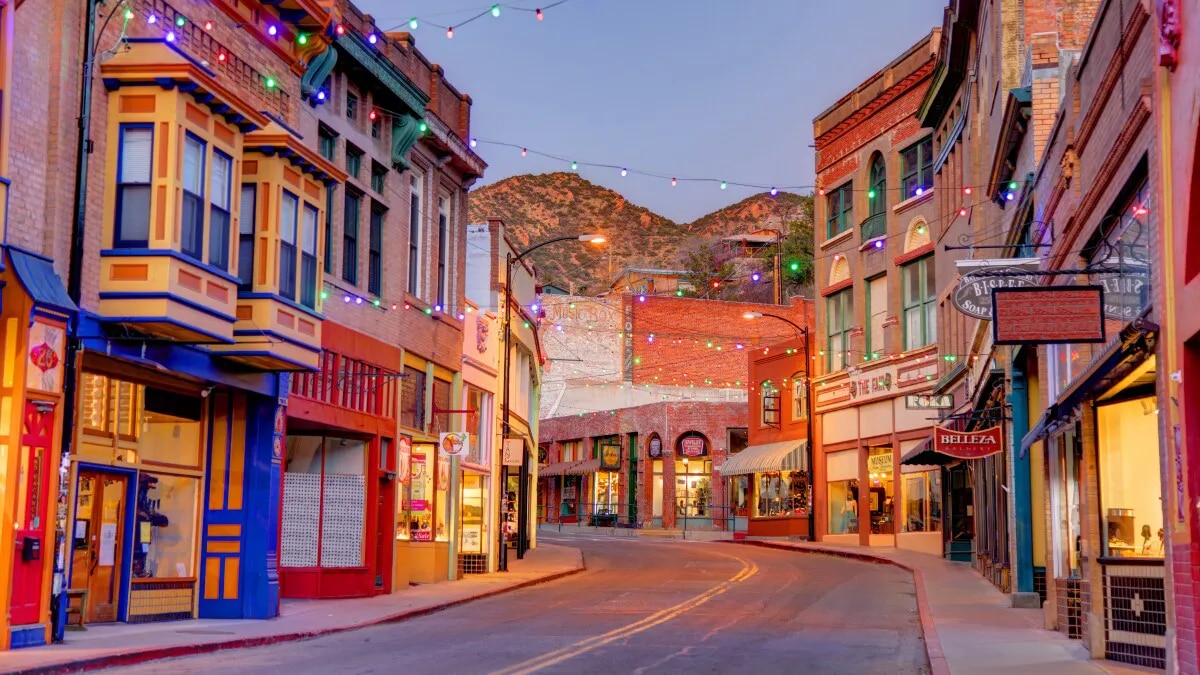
111, 661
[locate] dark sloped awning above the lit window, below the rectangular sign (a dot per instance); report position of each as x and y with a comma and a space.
1135, 339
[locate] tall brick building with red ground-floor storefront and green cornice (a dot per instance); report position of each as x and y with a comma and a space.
369, 503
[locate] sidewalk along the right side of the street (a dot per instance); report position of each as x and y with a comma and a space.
970, 626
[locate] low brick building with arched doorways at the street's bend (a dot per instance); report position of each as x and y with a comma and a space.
656, 465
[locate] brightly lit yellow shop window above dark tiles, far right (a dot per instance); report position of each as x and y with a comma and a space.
1131, 488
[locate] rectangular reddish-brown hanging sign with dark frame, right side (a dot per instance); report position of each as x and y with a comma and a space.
1043, 316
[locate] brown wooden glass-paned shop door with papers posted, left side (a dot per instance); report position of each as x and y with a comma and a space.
98, 543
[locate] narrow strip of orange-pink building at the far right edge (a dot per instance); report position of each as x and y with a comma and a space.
1178, 199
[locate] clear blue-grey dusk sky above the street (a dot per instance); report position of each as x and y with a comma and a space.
724, 89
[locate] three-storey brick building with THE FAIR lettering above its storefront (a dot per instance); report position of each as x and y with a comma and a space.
877, 324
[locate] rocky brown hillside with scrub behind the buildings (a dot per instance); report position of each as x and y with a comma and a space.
539, 207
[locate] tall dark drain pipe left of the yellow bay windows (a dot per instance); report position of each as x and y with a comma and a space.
75, 290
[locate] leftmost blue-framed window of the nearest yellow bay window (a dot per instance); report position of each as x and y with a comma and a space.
133, 223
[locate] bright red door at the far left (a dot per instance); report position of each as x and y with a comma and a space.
33, 546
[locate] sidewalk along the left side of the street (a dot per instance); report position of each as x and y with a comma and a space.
123, 644
